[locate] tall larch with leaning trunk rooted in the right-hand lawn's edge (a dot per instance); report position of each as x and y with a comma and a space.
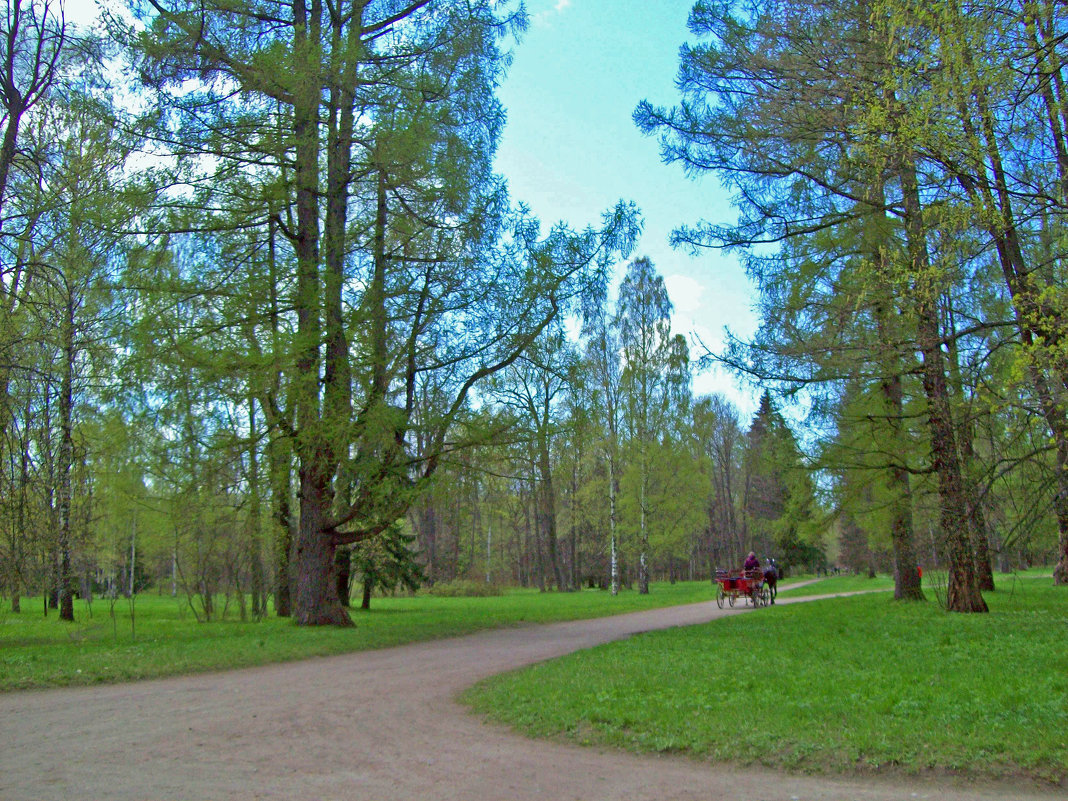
804, 140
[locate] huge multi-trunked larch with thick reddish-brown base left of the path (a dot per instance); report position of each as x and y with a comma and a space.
368, 129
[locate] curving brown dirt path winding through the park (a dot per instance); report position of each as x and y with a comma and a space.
373, 726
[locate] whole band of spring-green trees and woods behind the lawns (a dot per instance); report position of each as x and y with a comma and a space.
273, 324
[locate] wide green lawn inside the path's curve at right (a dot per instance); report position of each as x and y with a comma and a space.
838, 686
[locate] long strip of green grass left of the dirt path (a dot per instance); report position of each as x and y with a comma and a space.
165, 639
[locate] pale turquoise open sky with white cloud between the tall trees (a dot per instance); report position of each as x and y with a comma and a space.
571, 151
